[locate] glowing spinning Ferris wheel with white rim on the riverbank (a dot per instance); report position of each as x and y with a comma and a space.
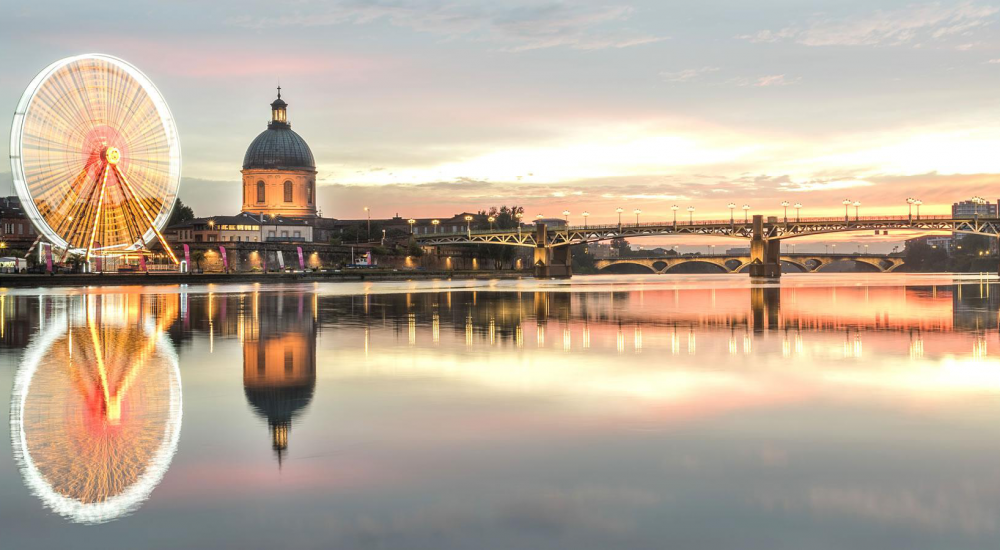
95, 156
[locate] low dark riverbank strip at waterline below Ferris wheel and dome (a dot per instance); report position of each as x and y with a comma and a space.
126, 279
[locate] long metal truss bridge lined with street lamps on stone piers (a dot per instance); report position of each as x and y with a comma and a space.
552, 245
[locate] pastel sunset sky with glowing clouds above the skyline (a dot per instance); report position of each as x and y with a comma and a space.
431, 108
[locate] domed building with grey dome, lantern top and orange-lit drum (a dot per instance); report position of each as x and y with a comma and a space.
279, 171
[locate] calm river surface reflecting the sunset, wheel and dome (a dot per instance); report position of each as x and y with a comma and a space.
837, 411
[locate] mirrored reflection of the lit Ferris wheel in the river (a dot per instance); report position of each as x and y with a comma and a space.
96, 408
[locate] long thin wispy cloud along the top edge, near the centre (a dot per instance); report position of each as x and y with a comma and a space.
517, 28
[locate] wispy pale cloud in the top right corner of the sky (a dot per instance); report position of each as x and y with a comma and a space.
910, 25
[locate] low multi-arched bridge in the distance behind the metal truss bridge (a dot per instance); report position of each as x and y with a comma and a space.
738, 263
